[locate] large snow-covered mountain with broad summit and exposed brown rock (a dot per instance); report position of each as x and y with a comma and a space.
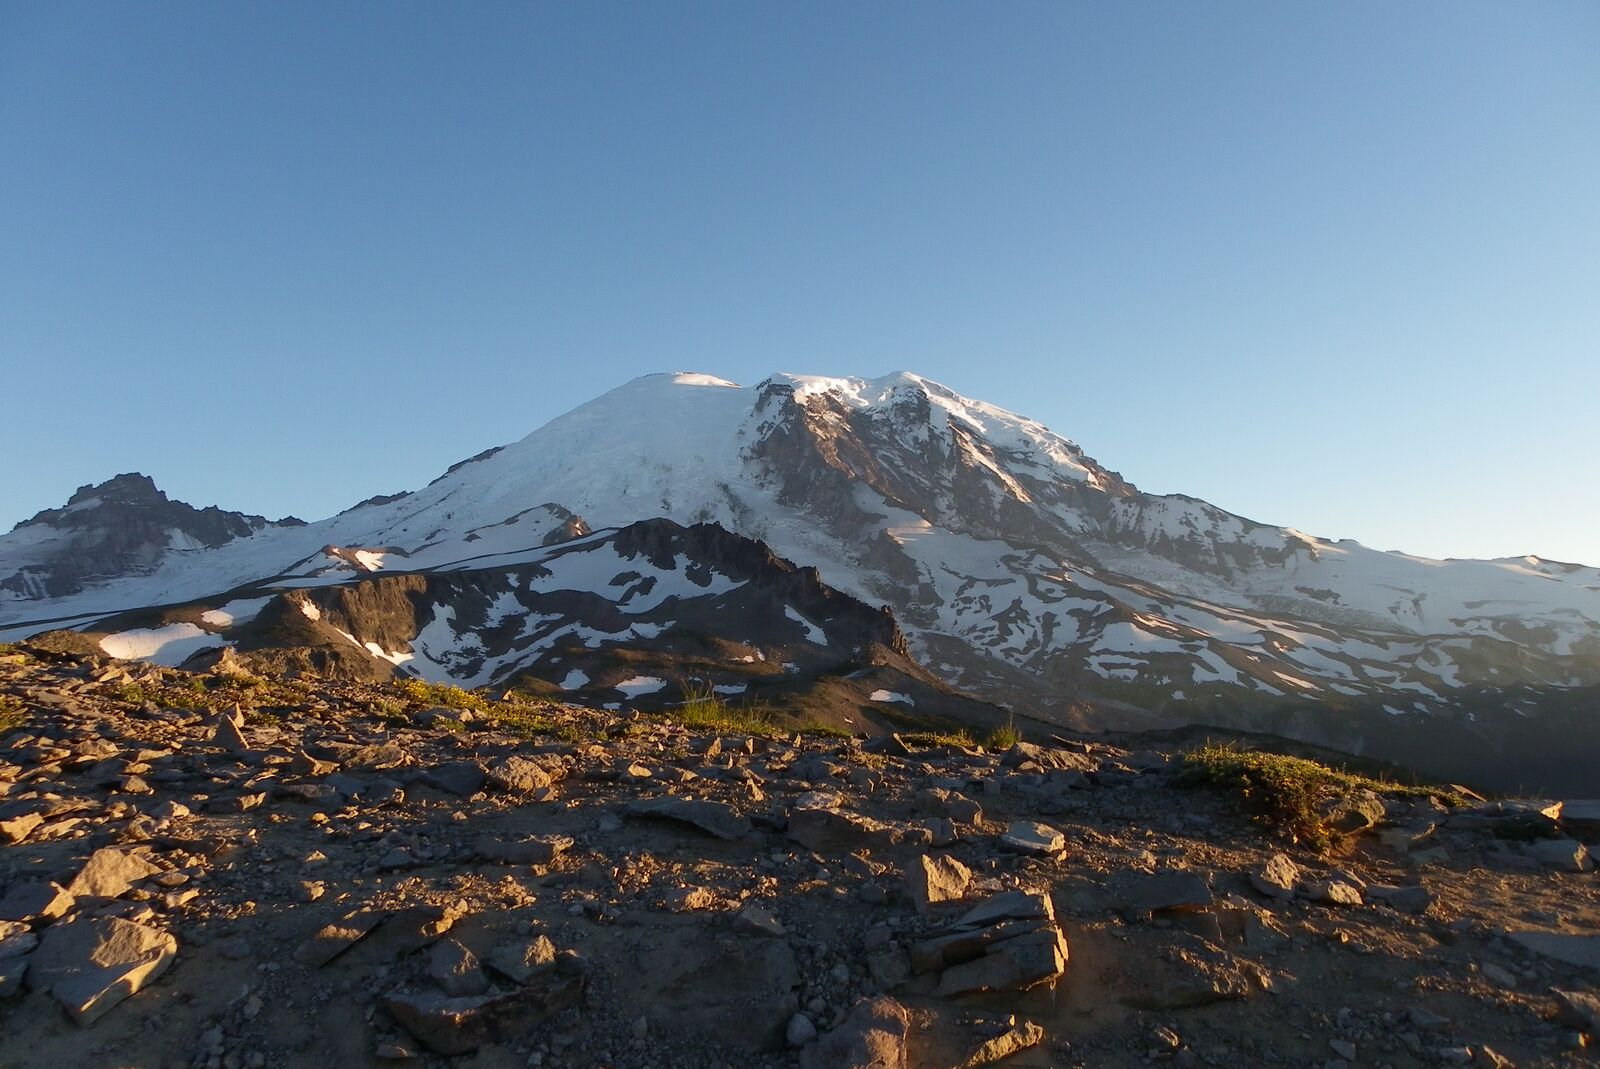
1018, 567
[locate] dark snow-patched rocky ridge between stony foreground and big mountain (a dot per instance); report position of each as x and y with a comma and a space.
646, 615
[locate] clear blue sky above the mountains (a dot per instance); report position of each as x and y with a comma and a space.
1334, 266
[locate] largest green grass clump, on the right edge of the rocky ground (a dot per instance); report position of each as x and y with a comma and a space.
1292, 795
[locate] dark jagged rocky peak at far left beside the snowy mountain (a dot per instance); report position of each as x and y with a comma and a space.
122, 527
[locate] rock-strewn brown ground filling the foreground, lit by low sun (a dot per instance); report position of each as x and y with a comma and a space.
351, 876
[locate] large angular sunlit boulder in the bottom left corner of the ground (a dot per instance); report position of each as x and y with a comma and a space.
90, 966
